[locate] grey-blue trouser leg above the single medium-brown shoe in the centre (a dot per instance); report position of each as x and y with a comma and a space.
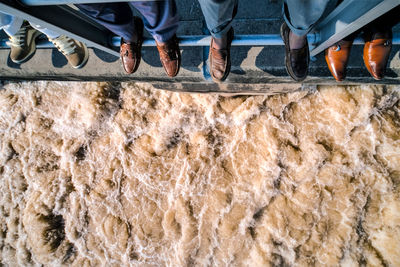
219, 15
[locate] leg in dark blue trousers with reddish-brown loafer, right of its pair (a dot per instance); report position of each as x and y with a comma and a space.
161, 20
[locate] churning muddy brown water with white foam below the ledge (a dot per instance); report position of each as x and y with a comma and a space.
121, 174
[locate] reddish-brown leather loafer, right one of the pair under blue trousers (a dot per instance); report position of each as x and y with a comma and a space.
170, 56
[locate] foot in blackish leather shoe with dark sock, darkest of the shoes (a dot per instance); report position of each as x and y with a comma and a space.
296, 59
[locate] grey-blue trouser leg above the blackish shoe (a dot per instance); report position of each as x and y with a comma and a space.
301, 15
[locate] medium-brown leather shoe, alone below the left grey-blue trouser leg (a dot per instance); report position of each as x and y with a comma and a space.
220, 59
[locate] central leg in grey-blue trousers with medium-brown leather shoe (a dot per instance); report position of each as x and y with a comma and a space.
219, 15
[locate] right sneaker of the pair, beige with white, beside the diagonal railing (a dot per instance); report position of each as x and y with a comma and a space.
76, 52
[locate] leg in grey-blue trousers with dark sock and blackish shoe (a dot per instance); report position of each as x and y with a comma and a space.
300, 17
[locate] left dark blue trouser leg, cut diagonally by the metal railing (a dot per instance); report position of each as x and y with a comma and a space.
117, 17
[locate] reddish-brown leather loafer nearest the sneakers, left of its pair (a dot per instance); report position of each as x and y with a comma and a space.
130, 52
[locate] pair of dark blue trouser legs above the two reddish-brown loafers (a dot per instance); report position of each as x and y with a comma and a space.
160, 18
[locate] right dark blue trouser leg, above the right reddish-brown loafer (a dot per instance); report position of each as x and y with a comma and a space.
161, 18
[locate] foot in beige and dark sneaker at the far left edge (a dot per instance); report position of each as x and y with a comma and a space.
23, 43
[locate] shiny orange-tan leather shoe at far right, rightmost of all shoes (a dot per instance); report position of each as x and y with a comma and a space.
376, 53
